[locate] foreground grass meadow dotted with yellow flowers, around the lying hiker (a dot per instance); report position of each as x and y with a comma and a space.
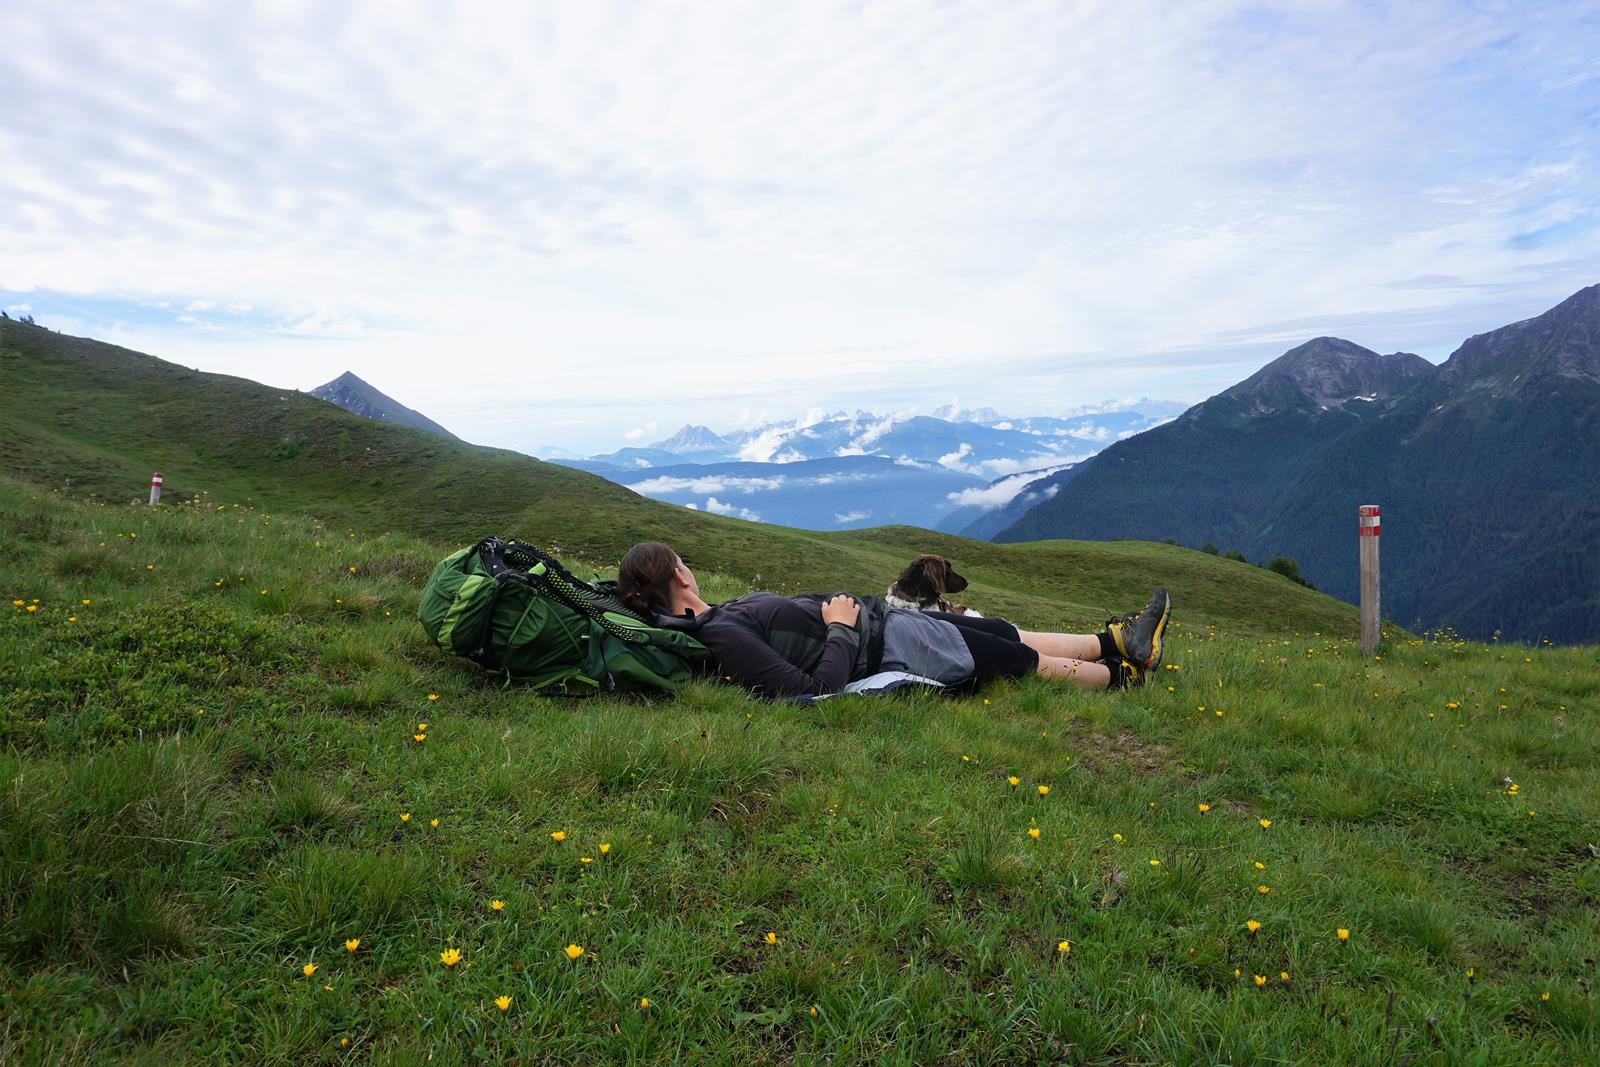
223, 842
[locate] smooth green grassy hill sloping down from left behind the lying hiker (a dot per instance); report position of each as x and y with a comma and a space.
97, 422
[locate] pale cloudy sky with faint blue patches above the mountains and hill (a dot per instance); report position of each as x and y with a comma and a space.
558, 223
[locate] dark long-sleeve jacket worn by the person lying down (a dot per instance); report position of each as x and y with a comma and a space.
780, 647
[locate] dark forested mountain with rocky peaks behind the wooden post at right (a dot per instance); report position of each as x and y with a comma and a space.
1487, 470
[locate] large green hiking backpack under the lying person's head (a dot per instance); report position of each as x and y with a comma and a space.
514, 610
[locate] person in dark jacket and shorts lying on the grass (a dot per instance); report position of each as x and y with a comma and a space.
817, 644
